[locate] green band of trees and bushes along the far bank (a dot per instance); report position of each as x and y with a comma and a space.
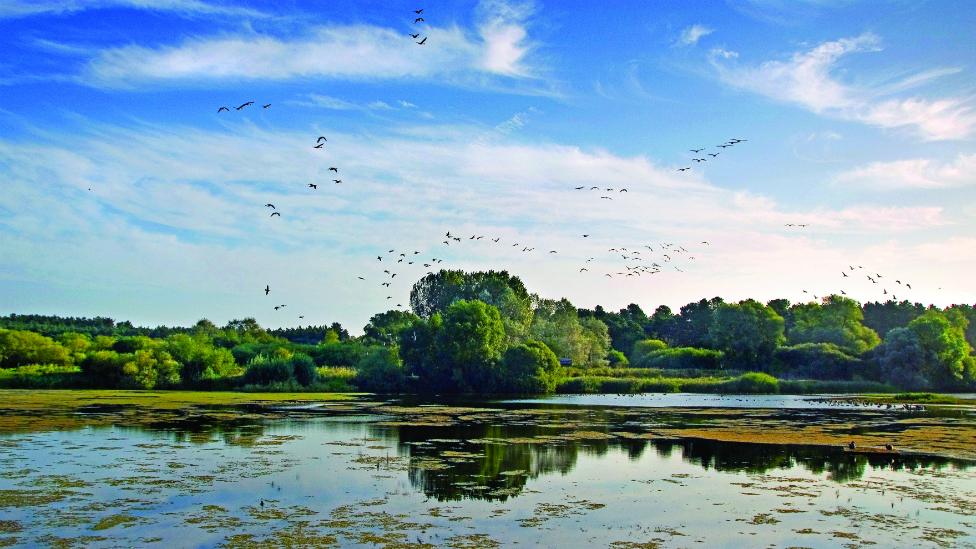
484, 332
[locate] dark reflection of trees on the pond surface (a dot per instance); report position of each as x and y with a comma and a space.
480, 477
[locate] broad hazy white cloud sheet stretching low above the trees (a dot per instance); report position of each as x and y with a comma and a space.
184, 219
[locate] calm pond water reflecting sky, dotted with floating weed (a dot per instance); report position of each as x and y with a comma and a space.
347, 478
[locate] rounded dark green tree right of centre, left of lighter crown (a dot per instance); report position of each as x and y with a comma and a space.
748, 332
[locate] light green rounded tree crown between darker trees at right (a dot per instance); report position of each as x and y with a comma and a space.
838, 320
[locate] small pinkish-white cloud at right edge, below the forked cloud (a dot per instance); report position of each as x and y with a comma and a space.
919, 173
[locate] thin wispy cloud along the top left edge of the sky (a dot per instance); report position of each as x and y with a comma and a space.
30, 8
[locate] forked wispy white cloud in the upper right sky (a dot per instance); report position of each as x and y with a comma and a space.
807, 79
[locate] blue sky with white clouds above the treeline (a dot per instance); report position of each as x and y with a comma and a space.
125, 193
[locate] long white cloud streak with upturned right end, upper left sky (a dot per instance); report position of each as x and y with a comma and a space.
496, 47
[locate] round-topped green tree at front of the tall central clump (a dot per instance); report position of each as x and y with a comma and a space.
470, 342
